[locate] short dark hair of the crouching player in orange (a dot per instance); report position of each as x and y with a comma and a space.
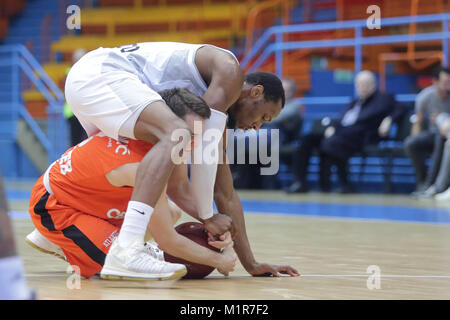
181, 101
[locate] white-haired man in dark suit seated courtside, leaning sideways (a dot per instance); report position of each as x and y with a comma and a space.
364, 121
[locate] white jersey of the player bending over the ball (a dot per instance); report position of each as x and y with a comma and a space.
160, 65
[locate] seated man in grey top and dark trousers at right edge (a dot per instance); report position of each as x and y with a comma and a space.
425, 139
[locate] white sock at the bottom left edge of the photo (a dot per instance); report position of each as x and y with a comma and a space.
12, 280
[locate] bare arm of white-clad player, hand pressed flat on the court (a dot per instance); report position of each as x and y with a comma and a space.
228, 202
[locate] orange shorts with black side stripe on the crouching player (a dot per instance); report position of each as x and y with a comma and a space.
84, 239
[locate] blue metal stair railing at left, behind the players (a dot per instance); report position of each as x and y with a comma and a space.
22, 63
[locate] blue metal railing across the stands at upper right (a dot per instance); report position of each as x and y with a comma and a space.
271, 42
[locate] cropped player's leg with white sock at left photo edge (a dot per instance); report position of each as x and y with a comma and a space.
12, 279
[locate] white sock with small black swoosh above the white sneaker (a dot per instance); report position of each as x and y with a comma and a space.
135, 222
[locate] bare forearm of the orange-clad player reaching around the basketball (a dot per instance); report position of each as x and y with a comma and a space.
170, 241
